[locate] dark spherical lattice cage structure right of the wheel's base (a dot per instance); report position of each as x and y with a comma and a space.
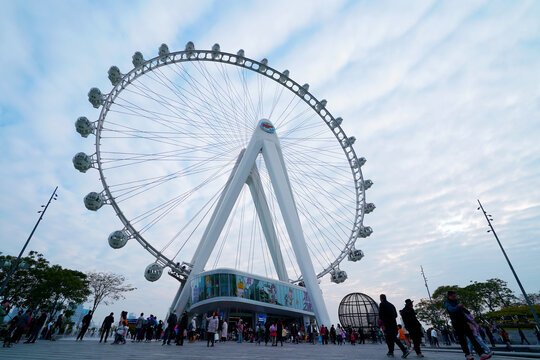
358, 310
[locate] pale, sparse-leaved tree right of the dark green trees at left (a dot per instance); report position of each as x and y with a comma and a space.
107, 288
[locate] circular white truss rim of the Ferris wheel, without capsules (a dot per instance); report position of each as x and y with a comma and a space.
189, 56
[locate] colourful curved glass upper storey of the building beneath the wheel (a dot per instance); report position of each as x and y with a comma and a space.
208, 286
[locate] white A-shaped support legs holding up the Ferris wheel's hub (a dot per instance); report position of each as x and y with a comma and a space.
264, 139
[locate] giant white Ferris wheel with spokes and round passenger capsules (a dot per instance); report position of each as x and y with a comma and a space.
173, 133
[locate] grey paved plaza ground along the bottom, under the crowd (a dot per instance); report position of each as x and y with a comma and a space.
91, 349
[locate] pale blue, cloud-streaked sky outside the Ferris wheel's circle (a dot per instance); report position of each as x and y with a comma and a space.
443, 98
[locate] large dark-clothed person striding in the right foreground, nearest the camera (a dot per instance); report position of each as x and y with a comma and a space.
461, 327
